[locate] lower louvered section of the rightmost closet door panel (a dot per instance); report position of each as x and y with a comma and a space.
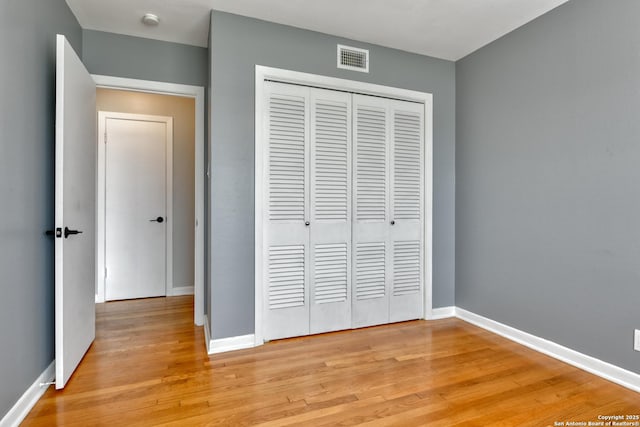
406, 267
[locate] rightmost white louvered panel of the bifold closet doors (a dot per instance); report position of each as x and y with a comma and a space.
407, 210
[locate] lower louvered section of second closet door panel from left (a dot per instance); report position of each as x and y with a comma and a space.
330, 273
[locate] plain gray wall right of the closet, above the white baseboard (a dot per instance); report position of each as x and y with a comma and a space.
548, 179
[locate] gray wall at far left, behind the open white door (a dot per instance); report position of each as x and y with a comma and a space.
27, 107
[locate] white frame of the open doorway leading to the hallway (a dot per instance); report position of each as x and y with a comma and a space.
187, 91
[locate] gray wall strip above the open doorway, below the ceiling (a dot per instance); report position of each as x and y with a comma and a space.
145, 59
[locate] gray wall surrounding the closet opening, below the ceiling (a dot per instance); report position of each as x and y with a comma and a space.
237, 45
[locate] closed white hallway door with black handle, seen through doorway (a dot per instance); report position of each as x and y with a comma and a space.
136, 222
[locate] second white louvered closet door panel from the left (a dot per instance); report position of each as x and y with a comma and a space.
330, 225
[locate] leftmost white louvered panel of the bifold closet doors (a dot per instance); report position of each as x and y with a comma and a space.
286, 237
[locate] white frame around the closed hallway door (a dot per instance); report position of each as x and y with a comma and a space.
102, 188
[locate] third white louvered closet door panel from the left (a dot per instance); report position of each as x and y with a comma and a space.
371, 181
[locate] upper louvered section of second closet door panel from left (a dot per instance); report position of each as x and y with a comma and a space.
331, 161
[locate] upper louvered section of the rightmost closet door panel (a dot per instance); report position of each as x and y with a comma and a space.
407, 165
